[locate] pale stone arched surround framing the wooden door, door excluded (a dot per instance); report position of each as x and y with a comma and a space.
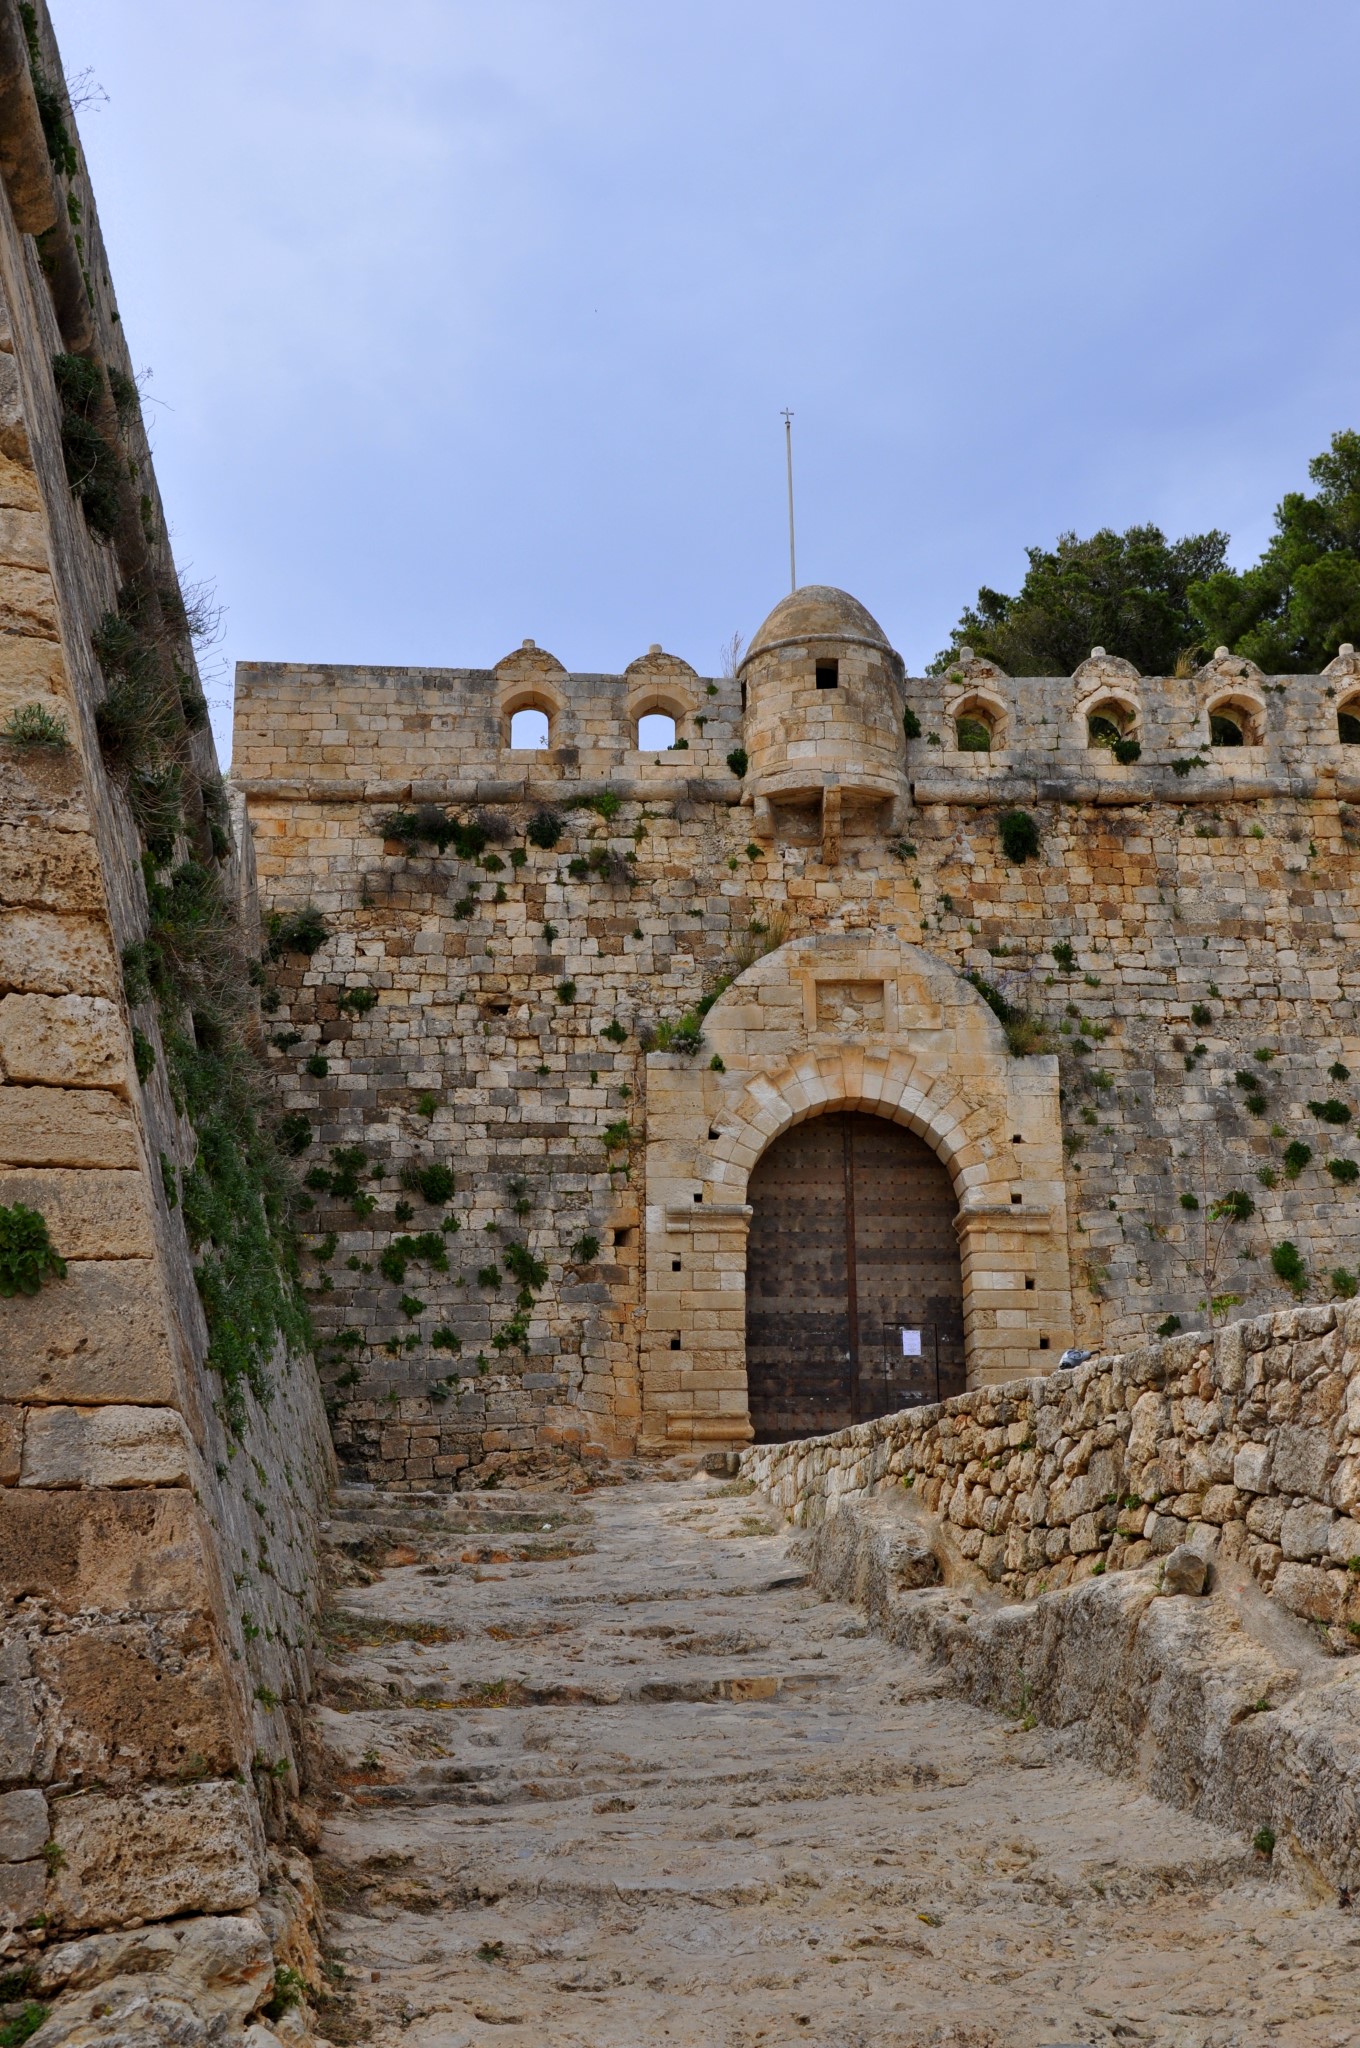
847, 1023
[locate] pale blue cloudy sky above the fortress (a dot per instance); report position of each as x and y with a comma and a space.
470, 321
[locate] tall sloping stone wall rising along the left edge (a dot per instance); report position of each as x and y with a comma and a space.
159, 1578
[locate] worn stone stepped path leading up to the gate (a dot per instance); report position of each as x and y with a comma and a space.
605, 1773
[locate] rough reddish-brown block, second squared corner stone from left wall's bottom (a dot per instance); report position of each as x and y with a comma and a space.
142, 1701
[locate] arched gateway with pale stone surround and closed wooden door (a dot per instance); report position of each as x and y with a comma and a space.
857, 1109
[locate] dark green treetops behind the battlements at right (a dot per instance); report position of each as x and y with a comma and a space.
1171, 603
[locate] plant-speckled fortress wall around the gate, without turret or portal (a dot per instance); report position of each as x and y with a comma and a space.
1212, 916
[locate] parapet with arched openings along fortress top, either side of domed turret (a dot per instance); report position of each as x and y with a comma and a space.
445, 734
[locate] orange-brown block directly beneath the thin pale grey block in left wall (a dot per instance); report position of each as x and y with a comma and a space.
144, 1551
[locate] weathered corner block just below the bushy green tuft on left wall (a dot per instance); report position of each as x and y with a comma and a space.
97, 1336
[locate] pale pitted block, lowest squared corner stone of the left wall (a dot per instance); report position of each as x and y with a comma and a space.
157, 1852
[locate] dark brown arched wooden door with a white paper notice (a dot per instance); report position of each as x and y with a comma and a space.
853, 1281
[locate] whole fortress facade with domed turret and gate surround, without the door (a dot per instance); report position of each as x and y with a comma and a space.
1181, 957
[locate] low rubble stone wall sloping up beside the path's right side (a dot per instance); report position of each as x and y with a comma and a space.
1244, 1445
